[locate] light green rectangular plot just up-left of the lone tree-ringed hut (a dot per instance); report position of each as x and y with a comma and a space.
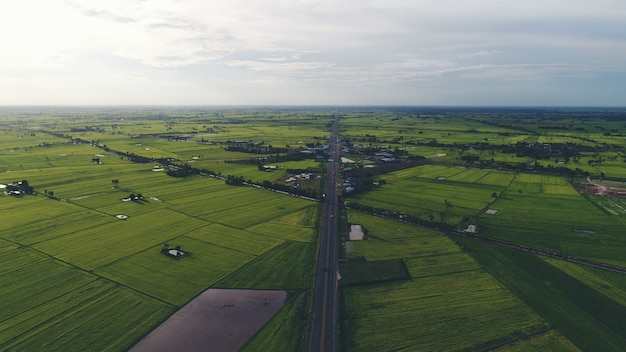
104, 244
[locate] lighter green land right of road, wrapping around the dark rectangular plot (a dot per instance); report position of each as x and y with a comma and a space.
481, 313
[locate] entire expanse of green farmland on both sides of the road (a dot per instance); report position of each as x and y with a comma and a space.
72, 268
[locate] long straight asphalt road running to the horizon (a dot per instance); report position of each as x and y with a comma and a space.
323, 331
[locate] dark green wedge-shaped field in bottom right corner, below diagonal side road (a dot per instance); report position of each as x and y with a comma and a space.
585, 316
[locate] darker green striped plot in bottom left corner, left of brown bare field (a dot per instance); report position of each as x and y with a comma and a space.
55, 307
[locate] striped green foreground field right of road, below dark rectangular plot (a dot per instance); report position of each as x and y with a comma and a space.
472, 305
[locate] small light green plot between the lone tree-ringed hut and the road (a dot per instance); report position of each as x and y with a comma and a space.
236, 239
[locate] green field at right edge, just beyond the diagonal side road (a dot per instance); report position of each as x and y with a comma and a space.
545, 212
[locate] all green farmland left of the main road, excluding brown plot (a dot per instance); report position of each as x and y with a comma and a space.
68, 246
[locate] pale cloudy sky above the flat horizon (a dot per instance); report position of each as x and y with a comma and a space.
313, 52
